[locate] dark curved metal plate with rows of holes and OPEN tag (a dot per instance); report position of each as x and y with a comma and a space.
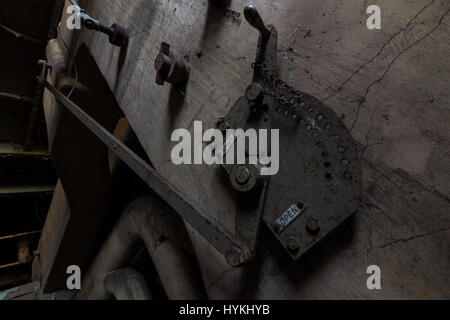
320, 172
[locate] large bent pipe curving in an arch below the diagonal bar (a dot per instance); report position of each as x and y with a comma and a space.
150, 221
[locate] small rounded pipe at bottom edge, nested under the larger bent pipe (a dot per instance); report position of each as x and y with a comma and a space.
127, 284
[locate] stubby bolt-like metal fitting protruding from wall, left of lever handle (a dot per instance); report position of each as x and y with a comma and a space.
169, 68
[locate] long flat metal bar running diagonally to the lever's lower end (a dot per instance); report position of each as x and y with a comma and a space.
220, 238
